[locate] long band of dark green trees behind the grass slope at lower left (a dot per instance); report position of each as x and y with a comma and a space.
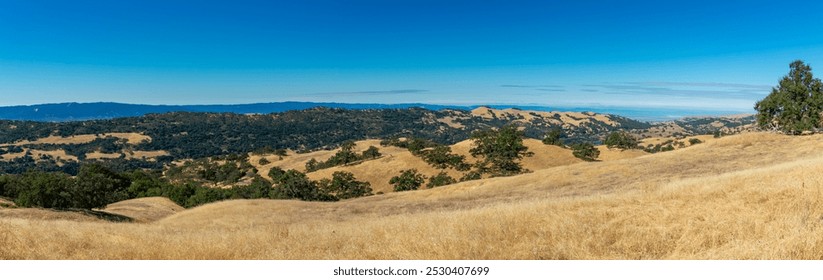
96, 186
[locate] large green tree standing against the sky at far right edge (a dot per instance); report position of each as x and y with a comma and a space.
795, 104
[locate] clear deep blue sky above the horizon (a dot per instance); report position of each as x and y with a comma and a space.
683, 54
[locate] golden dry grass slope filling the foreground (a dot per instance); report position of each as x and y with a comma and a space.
750, 196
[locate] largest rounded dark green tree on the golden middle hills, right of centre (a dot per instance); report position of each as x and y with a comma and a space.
499, 150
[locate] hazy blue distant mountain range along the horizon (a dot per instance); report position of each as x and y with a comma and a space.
61, 112
